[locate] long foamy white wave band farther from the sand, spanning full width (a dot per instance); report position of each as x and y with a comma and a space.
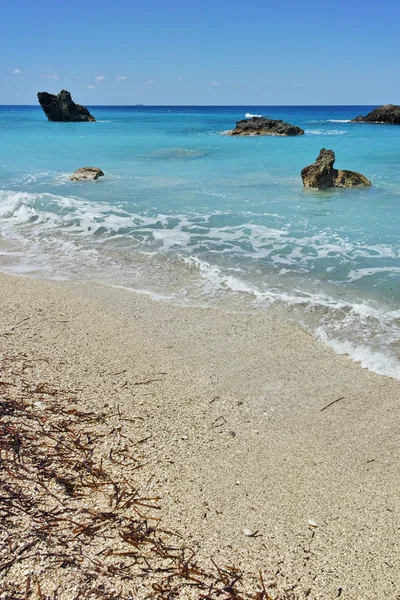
27, 214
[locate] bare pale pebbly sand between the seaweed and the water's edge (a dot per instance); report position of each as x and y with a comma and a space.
249, 423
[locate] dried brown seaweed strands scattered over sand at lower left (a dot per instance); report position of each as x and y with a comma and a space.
73, 524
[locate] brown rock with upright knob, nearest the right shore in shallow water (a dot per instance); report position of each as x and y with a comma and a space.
321, 174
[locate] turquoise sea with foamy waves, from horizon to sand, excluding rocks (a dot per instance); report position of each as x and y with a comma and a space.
189, 214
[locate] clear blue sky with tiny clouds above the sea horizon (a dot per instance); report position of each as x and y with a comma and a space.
209, 52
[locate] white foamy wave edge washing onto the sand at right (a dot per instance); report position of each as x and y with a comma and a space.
374, 329
